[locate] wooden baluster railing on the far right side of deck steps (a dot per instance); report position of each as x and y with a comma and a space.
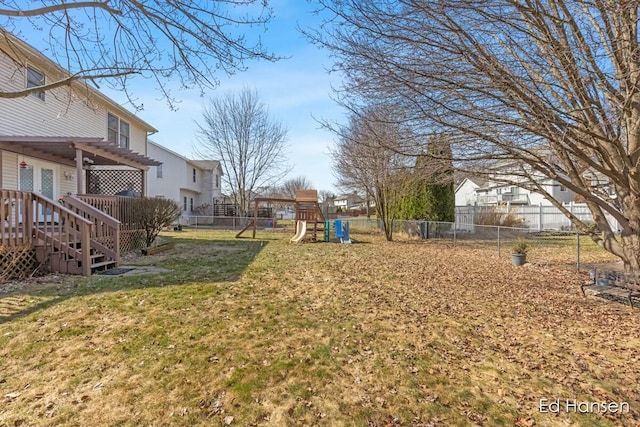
105, 232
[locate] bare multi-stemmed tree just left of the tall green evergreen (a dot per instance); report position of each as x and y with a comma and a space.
363, 159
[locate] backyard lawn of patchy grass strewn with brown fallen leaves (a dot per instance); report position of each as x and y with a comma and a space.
260, 332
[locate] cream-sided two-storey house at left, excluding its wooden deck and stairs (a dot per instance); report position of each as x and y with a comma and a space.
33, 124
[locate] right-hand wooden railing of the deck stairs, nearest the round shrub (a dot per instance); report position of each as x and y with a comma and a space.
96, 216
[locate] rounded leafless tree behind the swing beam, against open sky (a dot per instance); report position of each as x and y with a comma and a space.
237, 130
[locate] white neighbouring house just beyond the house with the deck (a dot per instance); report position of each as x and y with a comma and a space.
191, 183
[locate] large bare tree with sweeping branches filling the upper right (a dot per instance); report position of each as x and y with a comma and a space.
548, 88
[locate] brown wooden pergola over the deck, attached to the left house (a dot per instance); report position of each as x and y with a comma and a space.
75, 151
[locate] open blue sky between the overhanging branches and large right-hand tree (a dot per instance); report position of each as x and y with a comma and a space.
296, 91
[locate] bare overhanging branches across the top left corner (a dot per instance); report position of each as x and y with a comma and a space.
110, 41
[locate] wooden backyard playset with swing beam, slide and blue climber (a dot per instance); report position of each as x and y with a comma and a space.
308, 217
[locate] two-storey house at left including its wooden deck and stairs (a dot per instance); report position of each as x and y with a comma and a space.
68, 141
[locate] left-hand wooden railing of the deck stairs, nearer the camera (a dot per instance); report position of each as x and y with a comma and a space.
64, 234
